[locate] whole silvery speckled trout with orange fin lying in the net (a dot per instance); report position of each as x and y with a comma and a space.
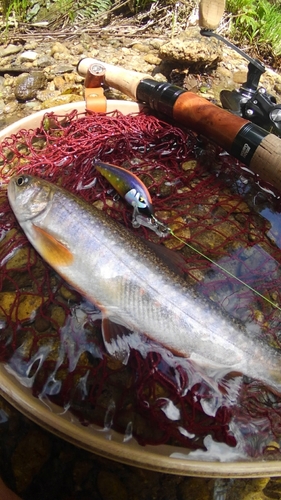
133, 287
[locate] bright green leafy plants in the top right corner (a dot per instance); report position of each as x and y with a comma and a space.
257, 21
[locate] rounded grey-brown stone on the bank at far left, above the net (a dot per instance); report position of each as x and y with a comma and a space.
28, 84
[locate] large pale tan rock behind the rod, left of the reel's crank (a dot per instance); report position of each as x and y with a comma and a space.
192, 49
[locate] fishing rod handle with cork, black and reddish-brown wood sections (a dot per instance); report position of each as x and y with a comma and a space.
257, 148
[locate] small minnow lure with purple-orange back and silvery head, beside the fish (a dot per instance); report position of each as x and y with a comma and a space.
134, 191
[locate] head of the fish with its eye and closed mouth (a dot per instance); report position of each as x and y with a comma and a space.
28, 196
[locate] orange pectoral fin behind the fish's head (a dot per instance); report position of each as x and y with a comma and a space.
51, 249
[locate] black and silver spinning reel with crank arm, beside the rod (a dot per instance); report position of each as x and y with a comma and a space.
250, 101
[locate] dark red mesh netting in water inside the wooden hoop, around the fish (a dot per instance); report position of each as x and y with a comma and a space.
51, 336
